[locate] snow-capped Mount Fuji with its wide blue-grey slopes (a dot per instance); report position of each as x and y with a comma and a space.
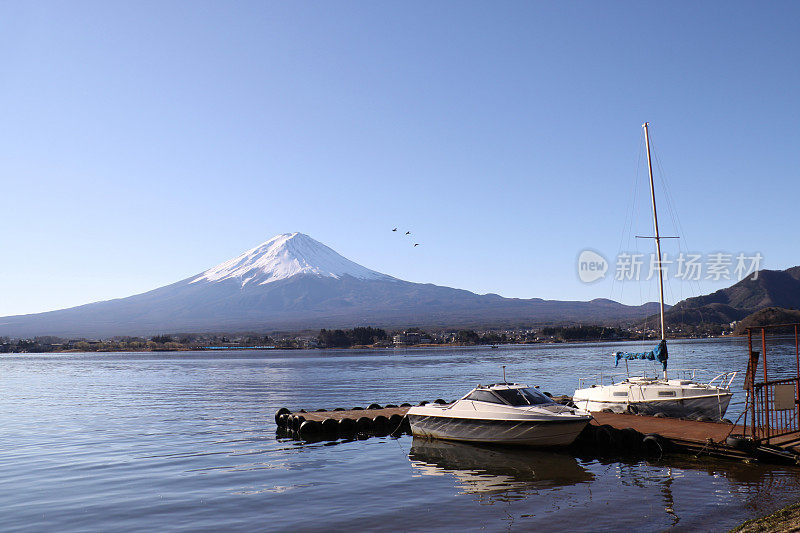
293, 282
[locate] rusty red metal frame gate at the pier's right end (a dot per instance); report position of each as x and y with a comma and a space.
769, 412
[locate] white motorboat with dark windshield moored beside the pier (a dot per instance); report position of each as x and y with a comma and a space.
503, 413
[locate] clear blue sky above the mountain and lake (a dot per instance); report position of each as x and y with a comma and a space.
143, 142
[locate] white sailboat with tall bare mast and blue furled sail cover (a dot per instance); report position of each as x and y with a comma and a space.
681, 397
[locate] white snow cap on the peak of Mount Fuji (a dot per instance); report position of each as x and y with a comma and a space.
284, 256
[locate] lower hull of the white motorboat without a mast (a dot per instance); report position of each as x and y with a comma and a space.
539, 433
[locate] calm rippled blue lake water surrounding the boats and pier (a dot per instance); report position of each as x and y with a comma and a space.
187, 442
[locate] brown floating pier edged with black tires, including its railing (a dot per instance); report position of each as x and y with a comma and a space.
773, 406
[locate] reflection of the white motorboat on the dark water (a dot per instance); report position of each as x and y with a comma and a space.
487, 469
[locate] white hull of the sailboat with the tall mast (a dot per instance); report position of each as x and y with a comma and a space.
713, 407
